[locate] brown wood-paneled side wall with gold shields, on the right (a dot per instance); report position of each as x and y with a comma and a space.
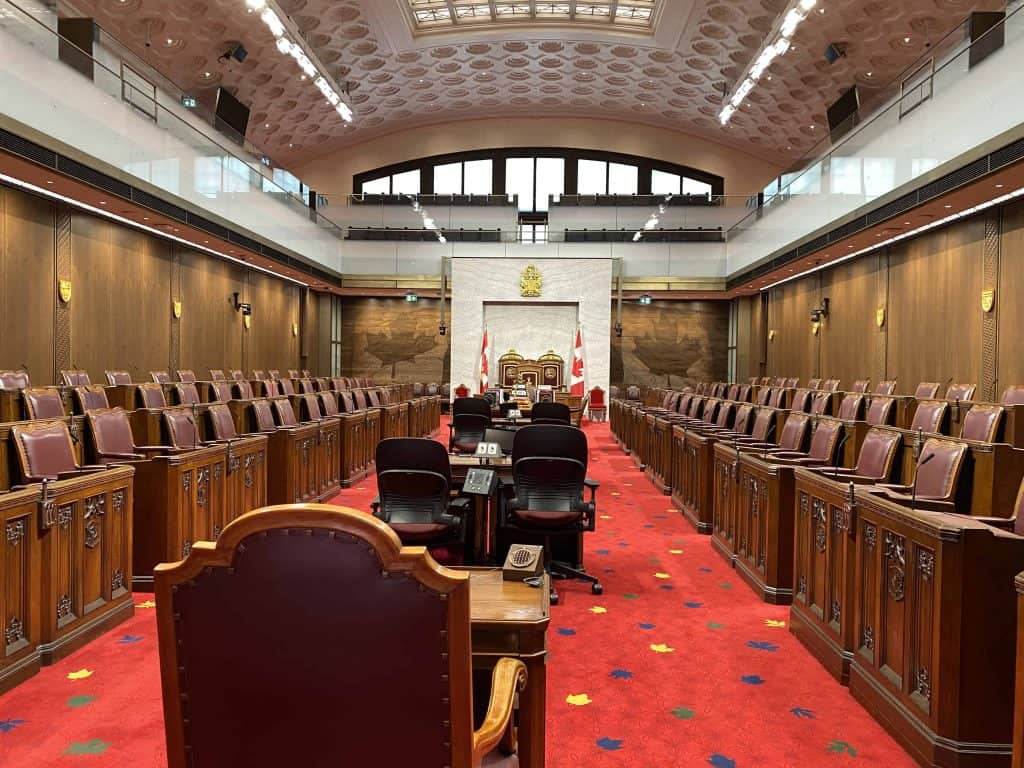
934, 328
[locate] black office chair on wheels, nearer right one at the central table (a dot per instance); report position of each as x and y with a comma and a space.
549, 475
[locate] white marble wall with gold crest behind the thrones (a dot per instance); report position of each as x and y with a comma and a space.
488, 290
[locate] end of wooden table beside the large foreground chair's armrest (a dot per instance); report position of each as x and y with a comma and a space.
510, 619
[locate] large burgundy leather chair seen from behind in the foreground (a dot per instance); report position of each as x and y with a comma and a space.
388, 622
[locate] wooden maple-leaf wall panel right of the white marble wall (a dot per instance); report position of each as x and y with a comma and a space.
671, 344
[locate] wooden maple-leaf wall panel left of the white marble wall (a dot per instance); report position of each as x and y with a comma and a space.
394, 339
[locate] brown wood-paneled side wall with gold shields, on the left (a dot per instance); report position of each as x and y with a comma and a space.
123, 285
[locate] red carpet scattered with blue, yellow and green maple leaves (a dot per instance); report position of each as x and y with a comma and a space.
676, 665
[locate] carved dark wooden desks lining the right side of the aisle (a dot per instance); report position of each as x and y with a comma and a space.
913, 610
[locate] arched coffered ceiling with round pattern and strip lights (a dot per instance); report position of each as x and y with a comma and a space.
400, 75
